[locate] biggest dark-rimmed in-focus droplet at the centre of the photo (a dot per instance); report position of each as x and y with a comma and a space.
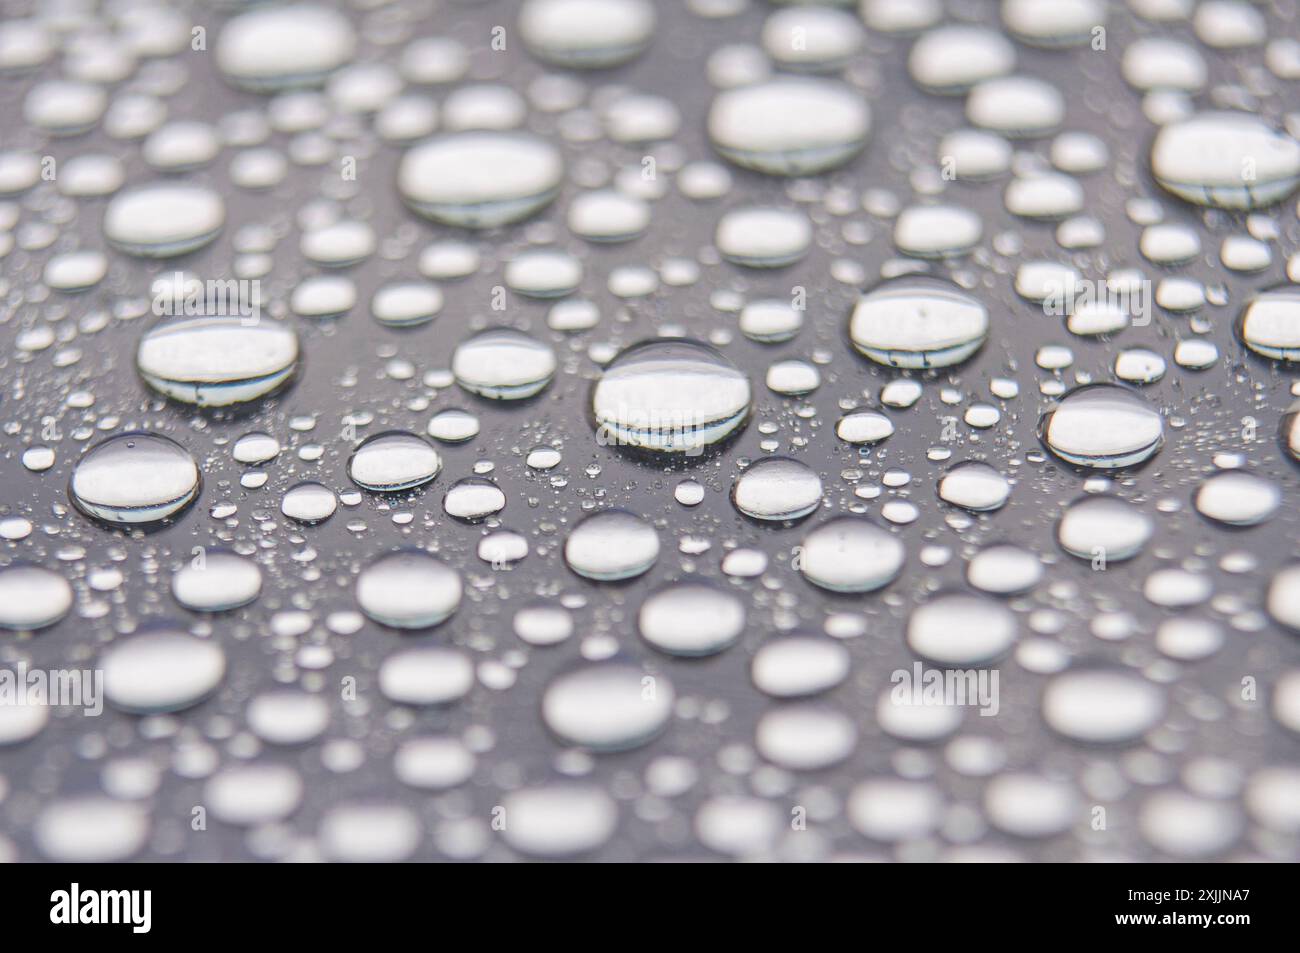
671, 397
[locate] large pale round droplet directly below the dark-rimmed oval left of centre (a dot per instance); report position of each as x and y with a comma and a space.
409, 590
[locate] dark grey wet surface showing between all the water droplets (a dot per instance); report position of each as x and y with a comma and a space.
1204, 410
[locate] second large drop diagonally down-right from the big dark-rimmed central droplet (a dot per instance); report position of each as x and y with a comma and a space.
851, 555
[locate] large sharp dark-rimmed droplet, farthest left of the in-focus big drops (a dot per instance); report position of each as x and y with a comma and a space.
135, 480
